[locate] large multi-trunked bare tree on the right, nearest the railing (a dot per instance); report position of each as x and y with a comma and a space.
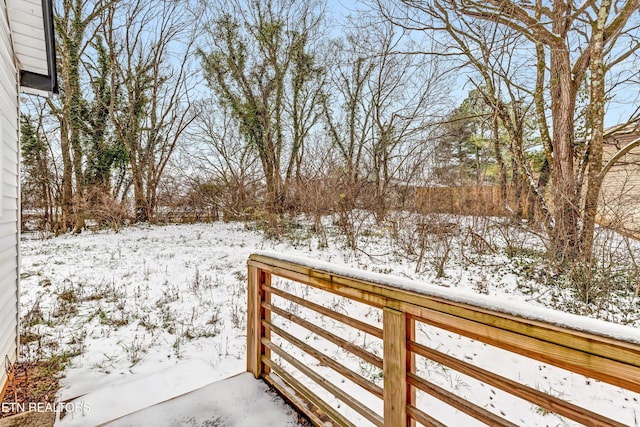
577, 49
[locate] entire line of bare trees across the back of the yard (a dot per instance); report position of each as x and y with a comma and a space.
265, 109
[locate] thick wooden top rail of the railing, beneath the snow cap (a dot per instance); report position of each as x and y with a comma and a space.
422, 306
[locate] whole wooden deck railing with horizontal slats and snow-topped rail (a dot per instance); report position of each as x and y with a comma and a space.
275, 341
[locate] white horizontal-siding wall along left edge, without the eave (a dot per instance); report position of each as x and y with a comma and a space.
9, 198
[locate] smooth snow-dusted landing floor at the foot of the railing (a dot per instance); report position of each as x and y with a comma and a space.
182, 395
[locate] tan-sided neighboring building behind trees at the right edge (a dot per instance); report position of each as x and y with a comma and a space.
619, 206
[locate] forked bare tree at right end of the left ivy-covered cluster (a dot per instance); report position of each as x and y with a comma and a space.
150, 43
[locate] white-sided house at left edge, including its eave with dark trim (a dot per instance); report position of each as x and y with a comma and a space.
27, 64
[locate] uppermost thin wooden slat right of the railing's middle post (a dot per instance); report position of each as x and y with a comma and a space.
536, 397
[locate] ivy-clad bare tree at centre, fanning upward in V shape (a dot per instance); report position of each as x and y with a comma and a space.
261, 70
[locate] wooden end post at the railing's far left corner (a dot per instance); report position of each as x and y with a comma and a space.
255, 314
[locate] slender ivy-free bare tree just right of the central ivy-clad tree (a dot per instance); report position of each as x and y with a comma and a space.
388, 103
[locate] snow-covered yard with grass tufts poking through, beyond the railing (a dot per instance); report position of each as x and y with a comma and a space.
139, 301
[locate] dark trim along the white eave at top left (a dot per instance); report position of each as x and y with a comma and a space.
48, 83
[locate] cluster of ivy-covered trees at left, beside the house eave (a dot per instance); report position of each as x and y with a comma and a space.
103, 145
